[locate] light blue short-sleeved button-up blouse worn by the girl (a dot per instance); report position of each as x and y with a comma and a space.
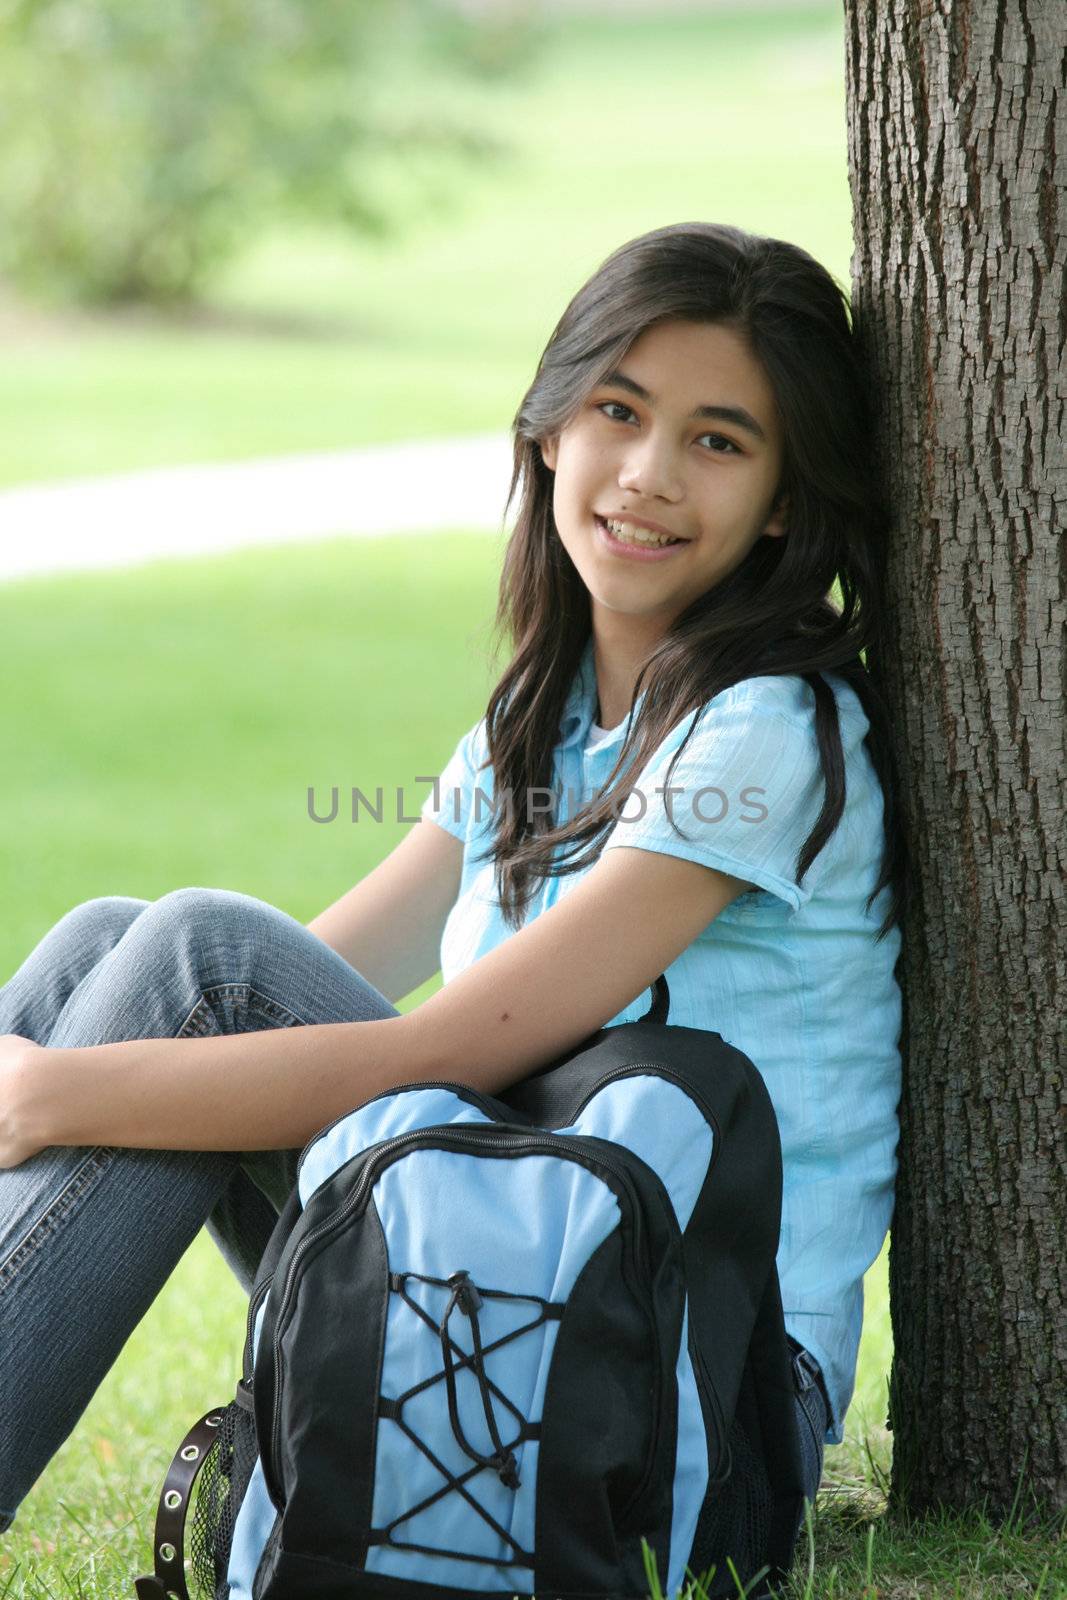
789, 972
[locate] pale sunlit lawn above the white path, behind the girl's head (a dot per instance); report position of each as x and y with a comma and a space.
318, 342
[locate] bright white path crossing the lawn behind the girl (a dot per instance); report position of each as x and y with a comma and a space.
186, 511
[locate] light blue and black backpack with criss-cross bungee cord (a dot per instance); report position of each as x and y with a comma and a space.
518, 1345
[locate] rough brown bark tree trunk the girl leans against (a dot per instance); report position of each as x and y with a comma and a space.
959, 166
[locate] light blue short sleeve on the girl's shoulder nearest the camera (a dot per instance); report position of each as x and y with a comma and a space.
746, 791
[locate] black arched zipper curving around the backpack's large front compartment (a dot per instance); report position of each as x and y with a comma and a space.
447, 1137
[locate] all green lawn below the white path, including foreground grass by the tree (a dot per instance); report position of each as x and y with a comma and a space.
162, 727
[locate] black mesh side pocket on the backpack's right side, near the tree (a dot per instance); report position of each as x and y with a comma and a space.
735, 1519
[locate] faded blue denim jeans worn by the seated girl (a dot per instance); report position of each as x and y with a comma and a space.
90, 1236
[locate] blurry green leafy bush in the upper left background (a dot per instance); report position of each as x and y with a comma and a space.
143, 145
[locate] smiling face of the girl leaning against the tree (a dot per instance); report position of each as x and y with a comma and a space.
684, 438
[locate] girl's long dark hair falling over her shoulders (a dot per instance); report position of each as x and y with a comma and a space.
772, 615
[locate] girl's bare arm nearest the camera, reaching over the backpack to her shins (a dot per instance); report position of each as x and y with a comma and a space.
527, 1002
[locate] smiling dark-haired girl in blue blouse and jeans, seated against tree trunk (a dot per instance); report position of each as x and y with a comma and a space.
684, 770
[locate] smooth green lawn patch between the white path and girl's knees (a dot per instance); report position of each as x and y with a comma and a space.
170, 719
